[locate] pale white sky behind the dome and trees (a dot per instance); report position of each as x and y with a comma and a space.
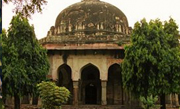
135, 10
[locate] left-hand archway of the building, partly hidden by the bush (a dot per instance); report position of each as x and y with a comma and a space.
64, 79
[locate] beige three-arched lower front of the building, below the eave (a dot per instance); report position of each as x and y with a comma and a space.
92, 76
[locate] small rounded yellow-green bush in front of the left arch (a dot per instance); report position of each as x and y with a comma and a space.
52, 96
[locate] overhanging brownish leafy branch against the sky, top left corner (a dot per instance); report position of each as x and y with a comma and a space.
27, 7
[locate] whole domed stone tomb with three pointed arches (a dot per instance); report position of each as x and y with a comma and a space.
85, 53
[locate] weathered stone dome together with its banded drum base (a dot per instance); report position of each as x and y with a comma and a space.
89, 21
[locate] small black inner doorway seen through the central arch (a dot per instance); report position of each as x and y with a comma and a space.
90, 94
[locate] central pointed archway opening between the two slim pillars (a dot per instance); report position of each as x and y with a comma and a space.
90, 85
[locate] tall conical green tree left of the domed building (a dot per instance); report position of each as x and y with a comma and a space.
25, 62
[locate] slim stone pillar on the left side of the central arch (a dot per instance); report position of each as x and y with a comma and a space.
75, 92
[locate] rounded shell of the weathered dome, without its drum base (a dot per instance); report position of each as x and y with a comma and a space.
91, 16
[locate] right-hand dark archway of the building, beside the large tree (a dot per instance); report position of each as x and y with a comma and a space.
115, 93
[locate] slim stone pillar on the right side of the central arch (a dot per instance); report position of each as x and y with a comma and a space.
103, 94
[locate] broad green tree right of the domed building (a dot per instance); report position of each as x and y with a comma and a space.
152, 62
